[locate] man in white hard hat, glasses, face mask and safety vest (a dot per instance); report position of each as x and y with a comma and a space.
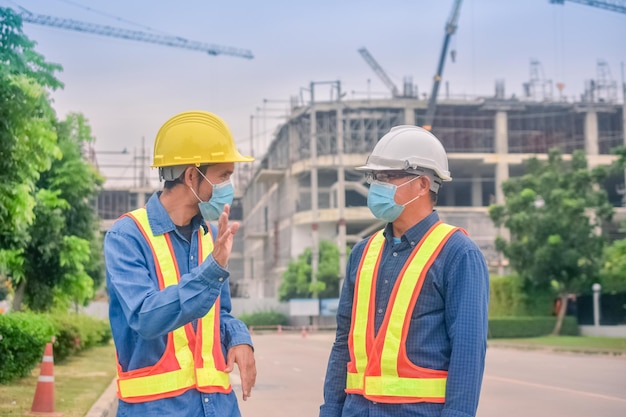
412, 317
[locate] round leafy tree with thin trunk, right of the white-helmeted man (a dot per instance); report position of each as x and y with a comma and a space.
554, 214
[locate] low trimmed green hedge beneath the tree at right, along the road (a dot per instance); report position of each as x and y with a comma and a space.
514, 327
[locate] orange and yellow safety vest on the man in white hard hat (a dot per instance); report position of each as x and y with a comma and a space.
379, 368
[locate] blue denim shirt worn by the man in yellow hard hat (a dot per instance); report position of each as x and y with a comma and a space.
141, 315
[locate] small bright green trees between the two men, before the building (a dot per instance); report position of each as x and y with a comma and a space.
297, 281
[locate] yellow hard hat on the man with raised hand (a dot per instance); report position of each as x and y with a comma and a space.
195, 137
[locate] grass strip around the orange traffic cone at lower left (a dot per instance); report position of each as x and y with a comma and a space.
79, 382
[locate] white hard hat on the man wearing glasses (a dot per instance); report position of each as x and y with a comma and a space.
409, 148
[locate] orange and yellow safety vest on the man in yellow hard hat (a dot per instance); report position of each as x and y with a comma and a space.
192, 359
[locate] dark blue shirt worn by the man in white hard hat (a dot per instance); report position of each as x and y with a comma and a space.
448, 329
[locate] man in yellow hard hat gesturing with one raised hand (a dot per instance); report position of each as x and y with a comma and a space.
169, 310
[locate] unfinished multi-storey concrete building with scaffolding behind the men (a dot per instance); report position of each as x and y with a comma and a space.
305, 188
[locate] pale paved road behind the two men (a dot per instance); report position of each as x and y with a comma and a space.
517, 383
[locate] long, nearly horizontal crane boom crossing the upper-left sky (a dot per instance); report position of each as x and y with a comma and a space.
173, 41
